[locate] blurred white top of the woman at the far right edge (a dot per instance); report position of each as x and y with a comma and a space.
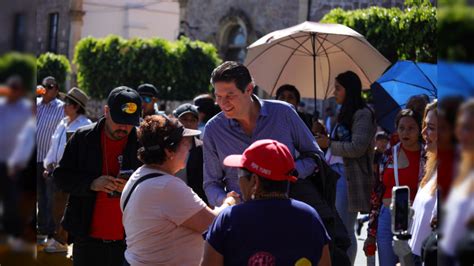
459, 209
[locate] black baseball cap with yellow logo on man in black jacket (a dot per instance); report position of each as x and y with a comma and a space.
125, 106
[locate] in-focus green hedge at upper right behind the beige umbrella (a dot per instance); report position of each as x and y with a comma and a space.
408, 34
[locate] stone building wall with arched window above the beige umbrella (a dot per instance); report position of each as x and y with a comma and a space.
232, 25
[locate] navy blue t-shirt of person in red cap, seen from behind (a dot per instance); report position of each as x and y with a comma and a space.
268, 232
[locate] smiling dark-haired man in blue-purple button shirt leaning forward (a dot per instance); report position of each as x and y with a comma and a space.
244, 119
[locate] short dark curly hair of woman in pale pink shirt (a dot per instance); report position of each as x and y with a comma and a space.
157, 133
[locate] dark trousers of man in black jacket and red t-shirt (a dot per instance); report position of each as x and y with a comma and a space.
92, 252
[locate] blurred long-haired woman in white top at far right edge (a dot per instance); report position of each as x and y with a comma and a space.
459, 208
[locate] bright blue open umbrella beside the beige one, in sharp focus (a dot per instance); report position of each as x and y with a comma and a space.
402, 81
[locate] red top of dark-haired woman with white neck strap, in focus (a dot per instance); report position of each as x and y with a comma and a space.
407, 176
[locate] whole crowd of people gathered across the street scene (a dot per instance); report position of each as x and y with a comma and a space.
235, 179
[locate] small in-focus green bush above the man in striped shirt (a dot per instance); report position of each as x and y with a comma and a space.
50, 64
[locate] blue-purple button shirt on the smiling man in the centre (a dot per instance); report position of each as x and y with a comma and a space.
277, 120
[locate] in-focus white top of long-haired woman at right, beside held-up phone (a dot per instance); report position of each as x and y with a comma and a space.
424, 206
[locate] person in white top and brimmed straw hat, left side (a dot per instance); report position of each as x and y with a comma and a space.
74, 108
